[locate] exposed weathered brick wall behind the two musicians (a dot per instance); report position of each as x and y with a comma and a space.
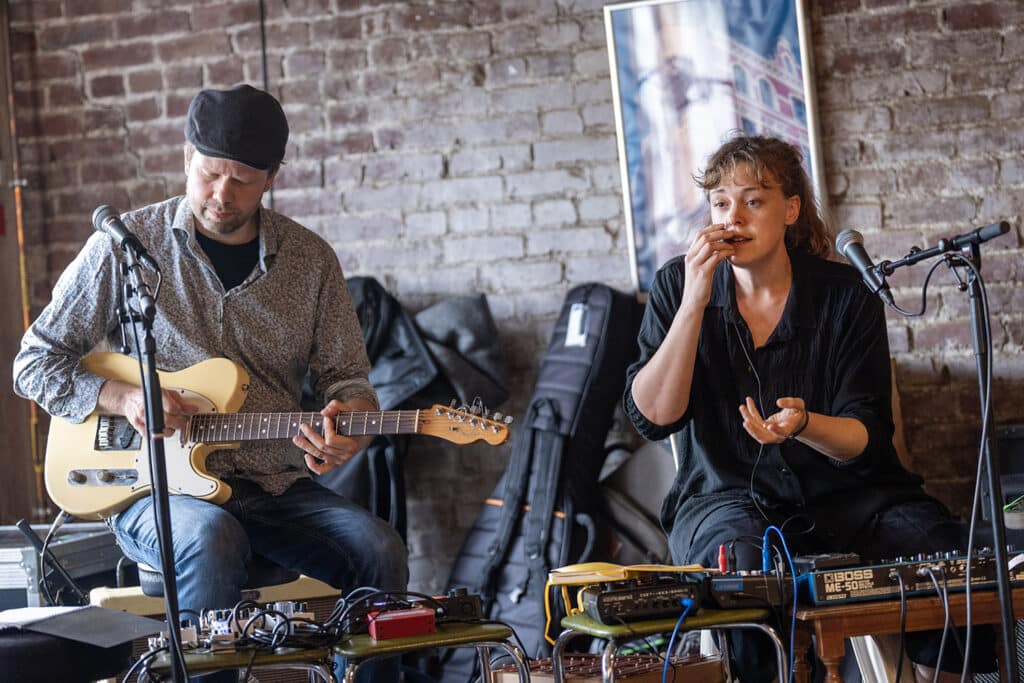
459, 147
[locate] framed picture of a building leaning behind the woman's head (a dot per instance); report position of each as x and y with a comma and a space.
686, 76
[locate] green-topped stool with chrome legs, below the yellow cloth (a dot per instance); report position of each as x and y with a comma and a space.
717, 620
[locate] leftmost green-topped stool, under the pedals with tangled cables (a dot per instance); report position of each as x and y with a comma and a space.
317, 662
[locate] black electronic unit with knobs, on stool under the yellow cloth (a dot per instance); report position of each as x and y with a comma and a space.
657, 596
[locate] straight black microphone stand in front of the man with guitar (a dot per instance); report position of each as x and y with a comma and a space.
138, 291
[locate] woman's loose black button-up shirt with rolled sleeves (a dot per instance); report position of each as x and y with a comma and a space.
829, 349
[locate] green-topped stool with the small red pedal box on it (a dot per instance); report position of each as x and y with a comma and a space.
360, 650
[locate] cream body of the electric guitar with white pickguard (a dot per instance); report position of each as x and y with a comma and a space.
92, 469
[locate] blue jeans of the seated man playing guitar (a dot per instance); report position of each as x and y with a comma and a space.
308, 529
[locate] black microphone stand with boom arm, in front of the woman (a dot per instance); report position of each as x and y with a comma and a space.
970, 248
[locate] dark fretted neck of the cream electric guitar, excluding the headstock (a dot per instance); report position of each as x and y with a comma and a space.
231, 428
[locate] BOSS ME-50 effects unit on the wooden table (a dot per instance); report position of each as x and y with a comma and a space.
882, 581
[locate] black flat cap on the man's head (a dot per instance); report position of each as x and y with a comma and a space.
242, 124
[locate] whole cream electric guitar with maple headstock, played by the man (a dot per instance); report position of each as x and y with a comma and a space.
101, 466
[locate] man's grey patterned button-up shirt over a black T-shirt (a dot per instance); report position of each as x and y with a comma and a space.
292, 316
